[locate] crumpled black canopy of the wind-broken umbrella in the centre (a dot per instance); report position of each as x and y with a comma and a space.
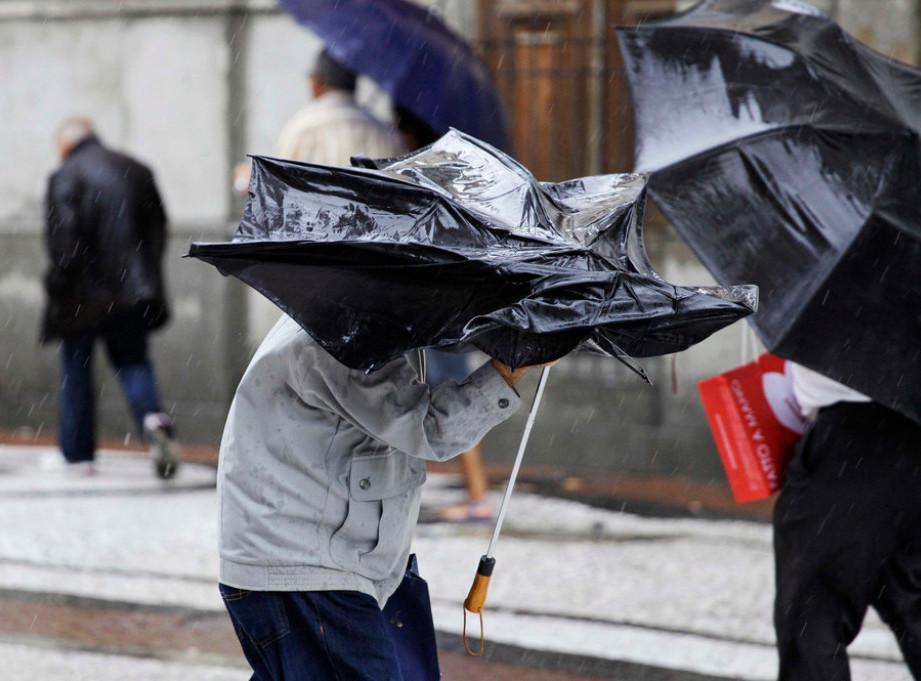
458, 245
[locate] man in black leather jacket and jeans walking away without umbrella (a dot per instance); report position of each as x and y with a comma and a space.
105, 235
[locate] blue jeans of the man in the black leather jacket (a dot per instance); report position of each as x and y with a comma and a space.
125, 338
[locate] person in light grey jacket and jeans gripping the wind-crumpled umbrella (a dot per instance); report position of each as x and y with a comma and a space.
319, 491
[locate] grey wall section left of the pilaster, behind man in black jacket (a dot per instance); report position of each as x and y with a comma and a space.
159, 86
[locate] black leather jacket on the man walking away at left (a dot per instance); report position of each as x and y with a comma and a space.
105, 234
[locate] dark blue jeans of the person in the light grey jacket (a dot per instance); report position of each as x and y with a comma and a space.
312, 635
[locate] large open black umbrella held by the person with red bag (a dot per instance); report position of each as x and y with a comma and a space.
787, 155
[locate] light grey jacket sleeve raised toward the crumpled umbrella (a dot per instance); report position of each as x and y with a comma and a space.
393, 406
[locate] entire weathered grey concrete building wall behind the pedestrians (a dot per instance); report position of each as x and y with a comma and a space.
190, 87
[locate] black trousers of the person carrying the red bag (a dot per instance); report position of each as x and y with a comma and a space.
847, 535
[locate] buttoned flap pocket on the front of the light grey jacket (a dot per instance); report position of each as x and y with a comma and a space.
382, 504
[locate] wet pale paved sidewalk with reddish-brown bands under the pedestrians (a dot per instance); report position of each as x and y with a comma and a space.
577, 589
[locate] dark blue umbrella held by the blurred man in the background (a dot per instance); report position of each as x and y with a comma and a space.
415, 58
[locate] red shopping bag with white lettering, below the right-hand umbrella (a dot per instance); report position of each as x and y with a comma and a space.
756, 423
